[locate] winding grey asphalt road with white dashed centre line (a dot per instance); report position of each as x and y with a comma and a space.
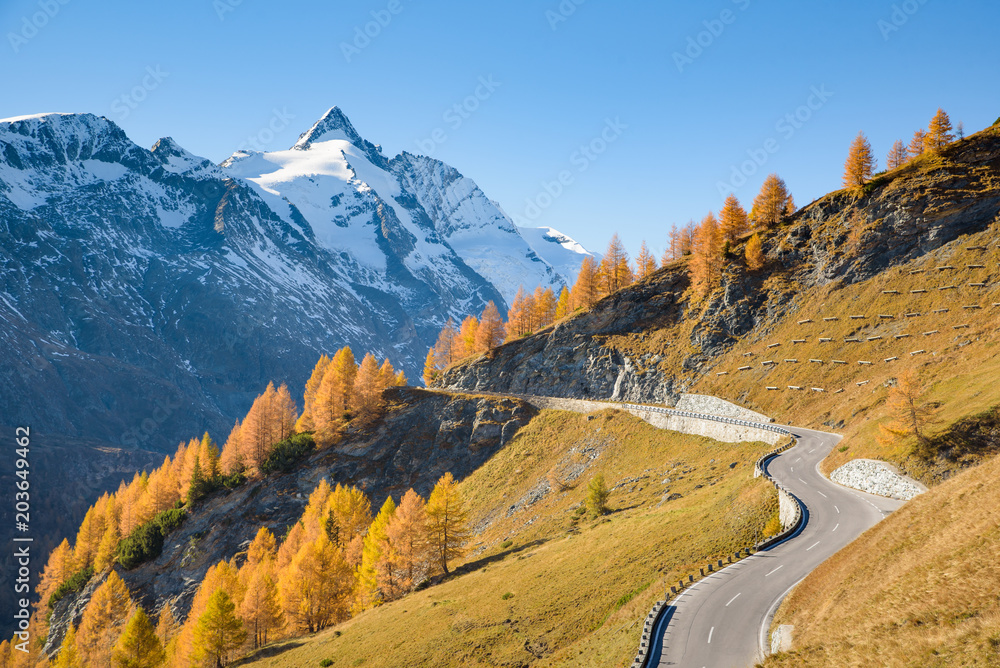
722, 621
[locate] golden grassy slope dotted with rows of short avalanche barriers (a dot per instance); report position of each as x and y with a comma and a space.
958, 366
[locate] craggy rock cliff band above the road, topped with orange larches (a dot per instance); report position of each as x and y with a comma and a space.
648, 342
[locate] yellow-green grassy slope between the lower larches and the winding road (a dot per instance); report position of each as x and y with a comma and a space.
577, 586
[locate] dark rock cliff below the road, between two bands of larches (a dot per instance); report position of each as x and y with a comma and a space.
422, 436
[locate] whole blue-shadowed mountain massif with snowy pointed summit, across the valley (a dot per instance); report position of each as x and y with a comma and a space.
142, 274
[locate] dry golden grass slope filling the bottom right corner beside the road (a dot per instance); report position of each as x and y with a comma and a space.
919, 589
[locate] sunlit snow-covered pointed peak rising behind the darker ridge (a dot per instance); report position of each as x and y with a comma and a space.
336, 179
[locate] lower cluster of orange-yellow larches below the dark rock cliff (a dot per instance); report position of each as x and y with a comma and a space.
336, 560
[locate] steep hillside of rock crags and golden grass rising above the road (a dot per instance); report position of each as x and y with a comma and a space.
920, 240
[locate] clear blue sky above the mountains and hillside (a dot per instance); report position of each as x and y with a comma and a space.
225, 66
